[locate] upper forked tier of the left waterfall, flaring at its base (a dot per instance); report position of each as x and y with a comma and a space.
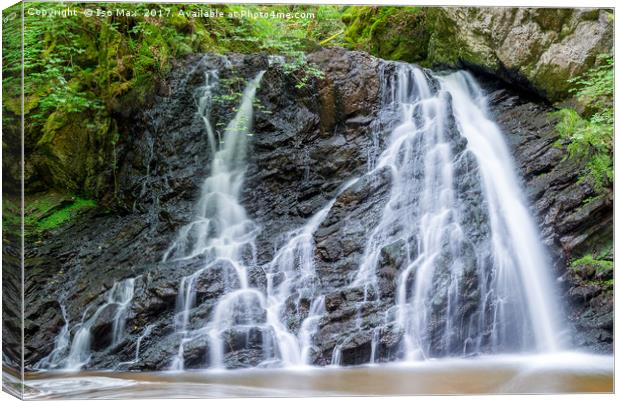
222, 228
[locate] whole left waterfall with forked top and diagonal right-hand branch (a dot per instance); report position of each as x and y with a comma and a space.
223, 233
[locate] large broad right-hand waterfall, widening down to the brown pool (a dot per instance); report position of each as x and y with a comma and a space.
475, 279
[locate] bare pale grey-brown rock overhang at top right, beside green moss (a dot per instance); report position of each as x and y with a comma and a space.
539, 48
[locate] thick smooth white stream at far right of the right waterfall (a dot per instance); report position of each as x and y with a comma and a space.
517, 251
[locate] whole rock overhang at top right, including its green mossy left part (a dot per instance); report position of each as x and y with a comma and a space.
539, 49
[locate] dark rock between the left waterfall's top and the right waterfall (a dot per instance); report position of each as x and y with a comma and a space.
312, 141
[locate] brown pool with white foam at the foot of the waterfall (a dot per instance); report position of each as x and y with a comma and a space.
498, 374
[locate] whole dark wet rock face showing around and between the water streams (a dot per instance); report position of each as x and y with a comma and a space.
306, 144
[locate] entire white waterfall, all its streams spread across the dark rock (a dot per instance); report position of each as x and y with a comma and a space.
474, 276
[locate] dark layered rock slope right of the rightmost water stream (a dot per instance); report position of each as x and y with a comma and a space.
573, 219
